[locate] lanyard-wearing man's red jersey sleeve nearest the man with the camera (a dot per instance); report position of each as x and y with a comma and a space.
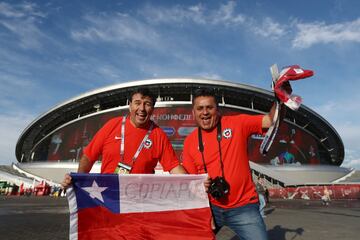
168, 159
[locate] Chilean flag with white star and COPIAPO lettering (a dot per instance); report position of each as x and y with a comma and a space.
139, 206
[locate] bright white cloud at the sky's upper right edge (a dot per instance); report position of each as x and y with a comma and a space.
319, 32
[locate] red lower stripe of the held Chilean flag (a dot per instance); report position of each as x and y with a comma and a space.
100, 223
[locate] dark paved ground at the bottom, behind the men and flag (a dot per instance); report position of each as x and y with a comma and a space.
40, 218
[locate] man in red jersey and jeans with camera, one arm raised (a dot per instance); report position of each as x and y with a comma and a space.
219, 147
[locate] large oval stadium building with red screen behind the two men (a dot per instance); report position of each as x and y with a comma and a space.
306, 149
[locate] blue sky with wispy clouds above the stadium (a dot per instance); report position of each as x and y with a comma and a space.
51, 51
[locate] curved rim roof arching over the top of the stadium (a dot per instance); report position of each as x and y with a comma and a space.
174, 90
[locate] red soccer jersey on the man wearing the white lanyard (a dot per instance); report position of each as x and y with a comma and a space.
107, 142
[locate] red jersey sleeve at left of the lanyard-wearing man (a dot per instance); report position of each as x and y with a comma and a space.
94, 149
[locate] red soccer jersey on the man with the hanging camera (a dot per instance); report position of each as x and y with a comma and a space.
235, 132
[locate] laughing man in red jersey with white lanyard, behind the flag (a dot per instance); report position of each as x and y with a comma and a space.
130, 144
